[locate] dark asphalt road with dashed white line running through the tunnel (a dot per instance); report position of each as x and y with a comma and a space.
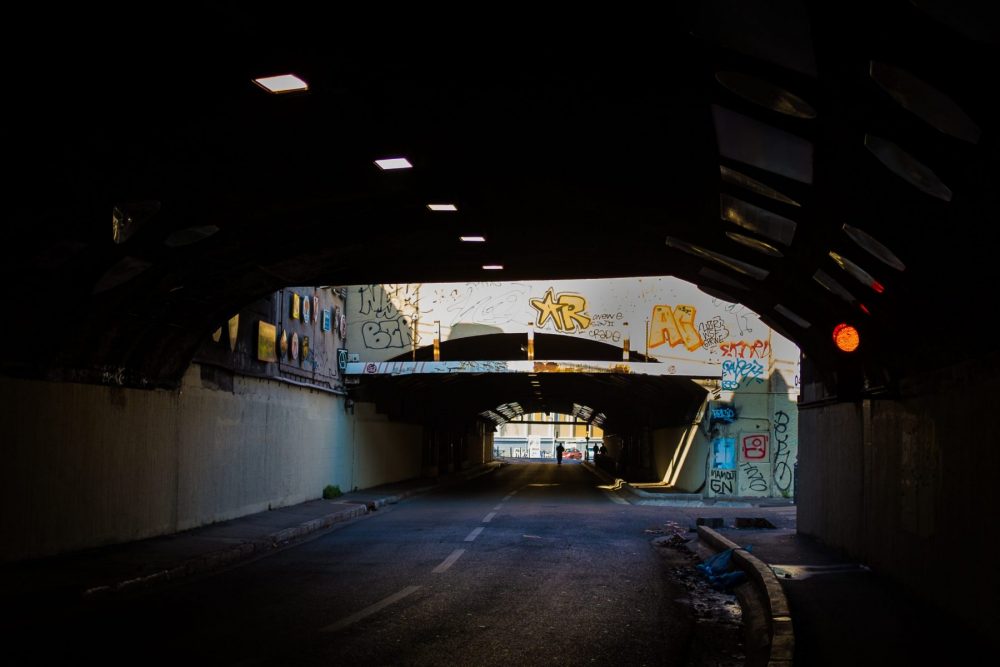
533, 565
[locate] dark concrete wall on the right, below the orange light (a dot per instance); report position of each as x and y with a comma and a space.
903, 486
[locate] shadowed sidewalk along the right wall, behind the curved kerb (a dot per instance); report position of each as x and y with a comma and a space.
842, 612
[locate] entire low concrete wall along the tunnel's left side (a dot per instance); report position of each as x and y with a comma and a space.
114, 465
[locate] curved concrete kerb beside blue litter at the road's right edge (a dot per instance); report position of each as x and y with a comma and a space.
777, 645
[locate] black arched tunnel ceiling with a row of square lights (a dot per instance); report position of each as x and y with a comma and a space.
817, 163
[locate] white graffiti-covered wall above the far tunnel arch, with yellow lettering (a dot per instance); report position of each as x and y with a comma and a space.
671, 319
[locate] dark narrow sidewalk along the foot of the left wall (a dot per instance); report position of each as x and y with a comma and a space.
132, 566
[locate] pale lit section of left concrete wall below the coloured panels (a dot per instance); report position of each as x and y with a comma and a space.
265, 445
